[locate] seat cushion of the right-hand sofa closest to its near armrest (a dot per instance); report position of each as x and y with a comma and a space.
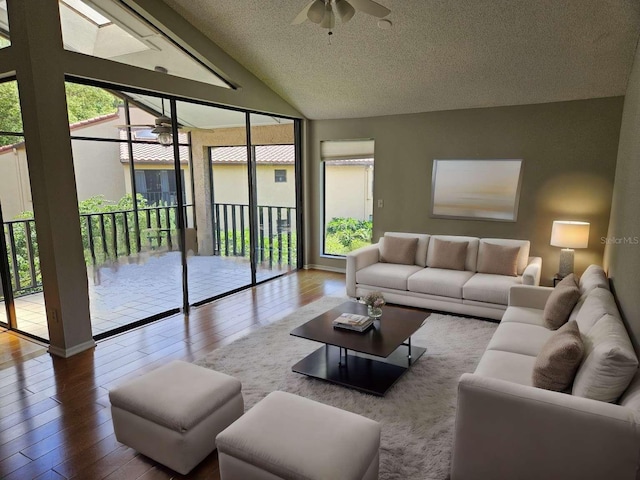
508, 366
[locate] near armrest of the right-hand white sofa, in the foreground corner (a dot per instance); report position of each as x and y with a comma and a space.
507, 430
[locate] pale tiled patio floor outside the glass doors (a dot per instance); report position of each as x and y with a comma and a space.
139, 287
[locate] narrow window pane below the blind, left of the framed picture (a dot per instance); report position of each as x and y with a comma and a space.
348, 195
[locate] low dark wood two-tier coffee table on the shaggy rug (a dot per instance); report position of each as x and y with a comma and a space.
371, 361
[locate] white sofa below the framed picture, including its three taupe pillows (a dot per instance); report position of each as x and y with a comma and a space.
472, 288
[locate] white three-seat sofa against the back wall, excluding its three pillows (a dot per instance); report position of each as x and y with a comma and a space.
458, 291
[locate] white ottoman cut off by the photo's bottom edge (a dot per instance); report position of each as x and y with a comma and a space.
289, 437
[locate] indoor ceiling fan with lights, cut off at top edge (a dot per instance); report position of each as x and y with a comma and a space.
322, 11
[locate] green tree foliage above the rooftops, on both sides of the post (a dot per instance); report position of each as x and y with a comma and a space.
83, 102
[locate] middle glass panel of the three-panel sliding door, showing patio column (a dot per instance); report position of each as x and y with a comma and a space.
217, 217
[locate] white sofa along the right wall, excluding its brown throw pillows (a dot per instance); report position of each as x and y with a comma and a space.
507, 428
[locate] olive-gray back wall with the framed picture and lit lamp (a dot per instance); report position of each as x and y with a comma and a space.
569, 151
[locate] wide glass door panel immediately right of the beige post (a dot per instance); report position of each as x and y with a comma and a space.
127, 200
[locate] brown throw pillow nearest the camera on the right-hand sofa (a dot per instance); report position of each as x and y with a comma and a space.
559, 359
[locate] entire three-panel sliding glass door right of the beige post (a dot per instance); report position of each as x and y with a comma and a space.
180, 202
